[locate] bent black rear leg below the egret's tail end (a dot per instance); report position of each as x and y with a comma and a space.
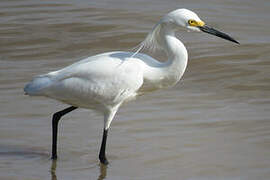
56, 117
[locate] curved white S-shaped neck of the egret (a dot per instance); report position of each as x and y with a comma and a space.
170, 72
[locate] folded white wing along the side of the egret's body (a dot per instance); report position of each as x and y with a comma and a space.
104, 79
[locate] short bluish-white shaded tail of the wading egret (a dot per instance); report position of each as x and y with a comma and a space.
37, 85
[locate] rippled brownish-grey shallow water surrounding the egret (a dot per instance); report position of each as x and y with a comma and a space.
213, 125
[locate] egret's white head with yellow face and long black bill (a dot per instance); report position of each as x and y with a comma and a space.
190, 20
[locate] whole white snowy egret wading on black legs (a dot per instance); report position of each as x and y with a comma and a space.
105, 81
